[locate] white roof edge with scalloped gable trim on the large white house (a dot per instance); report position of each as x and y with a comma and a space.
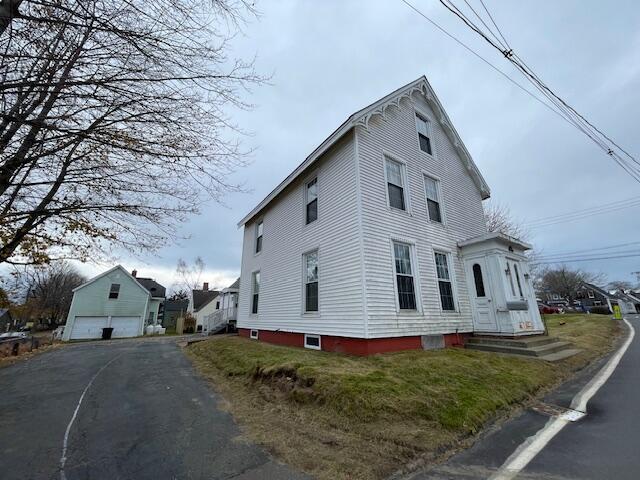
362, 117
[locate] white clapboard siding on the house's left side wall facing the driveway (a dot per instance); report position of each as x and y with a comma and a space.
286, 238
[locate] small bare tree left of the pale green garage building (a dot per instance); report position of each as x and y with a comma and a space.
48, 290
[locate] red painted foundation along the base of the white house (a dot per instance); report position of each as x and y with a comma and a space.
351, 345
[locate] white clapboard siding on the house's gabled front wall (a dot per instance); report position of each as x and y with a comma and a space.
461, 199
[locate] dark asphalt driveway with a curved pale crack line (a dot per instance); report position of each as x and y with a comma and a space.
147, 415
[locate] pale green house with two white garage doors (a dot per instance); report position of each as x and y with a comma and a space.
117, 299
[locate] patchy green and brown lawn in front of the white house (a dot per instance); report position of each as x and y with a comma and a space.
337, 416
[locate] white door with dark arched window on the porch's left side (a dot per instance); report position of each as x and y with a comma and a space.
484, 313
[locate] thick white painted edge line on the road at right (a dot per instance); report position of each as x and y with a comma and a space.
534, 444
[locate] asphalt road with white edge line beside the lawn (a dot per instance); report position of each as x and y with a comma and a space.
603, 445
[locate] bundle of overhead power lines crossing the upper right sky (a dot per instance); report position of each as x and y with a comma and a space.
571, 115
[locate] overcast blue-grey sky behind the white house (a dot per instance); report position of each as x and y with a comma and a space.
331, 58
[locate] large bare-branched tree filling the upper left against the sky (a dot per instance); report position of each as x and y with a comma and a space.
115, 122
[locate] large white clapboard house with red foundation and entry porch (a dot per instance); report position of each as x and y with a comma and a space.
377, 241
